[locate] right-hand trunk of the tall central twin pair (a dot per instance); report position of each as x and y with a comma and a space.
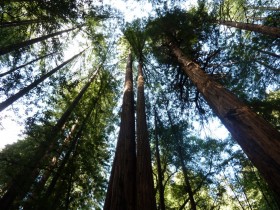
144, 177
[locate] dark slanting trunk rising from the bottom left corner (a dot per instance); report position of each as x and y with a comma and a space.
22, 182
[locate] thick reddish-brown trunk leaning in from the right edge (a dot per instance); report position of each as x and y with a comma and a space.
258, 139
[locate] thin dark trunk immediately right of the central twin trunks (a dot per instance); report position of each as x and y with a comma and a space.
159, 170
